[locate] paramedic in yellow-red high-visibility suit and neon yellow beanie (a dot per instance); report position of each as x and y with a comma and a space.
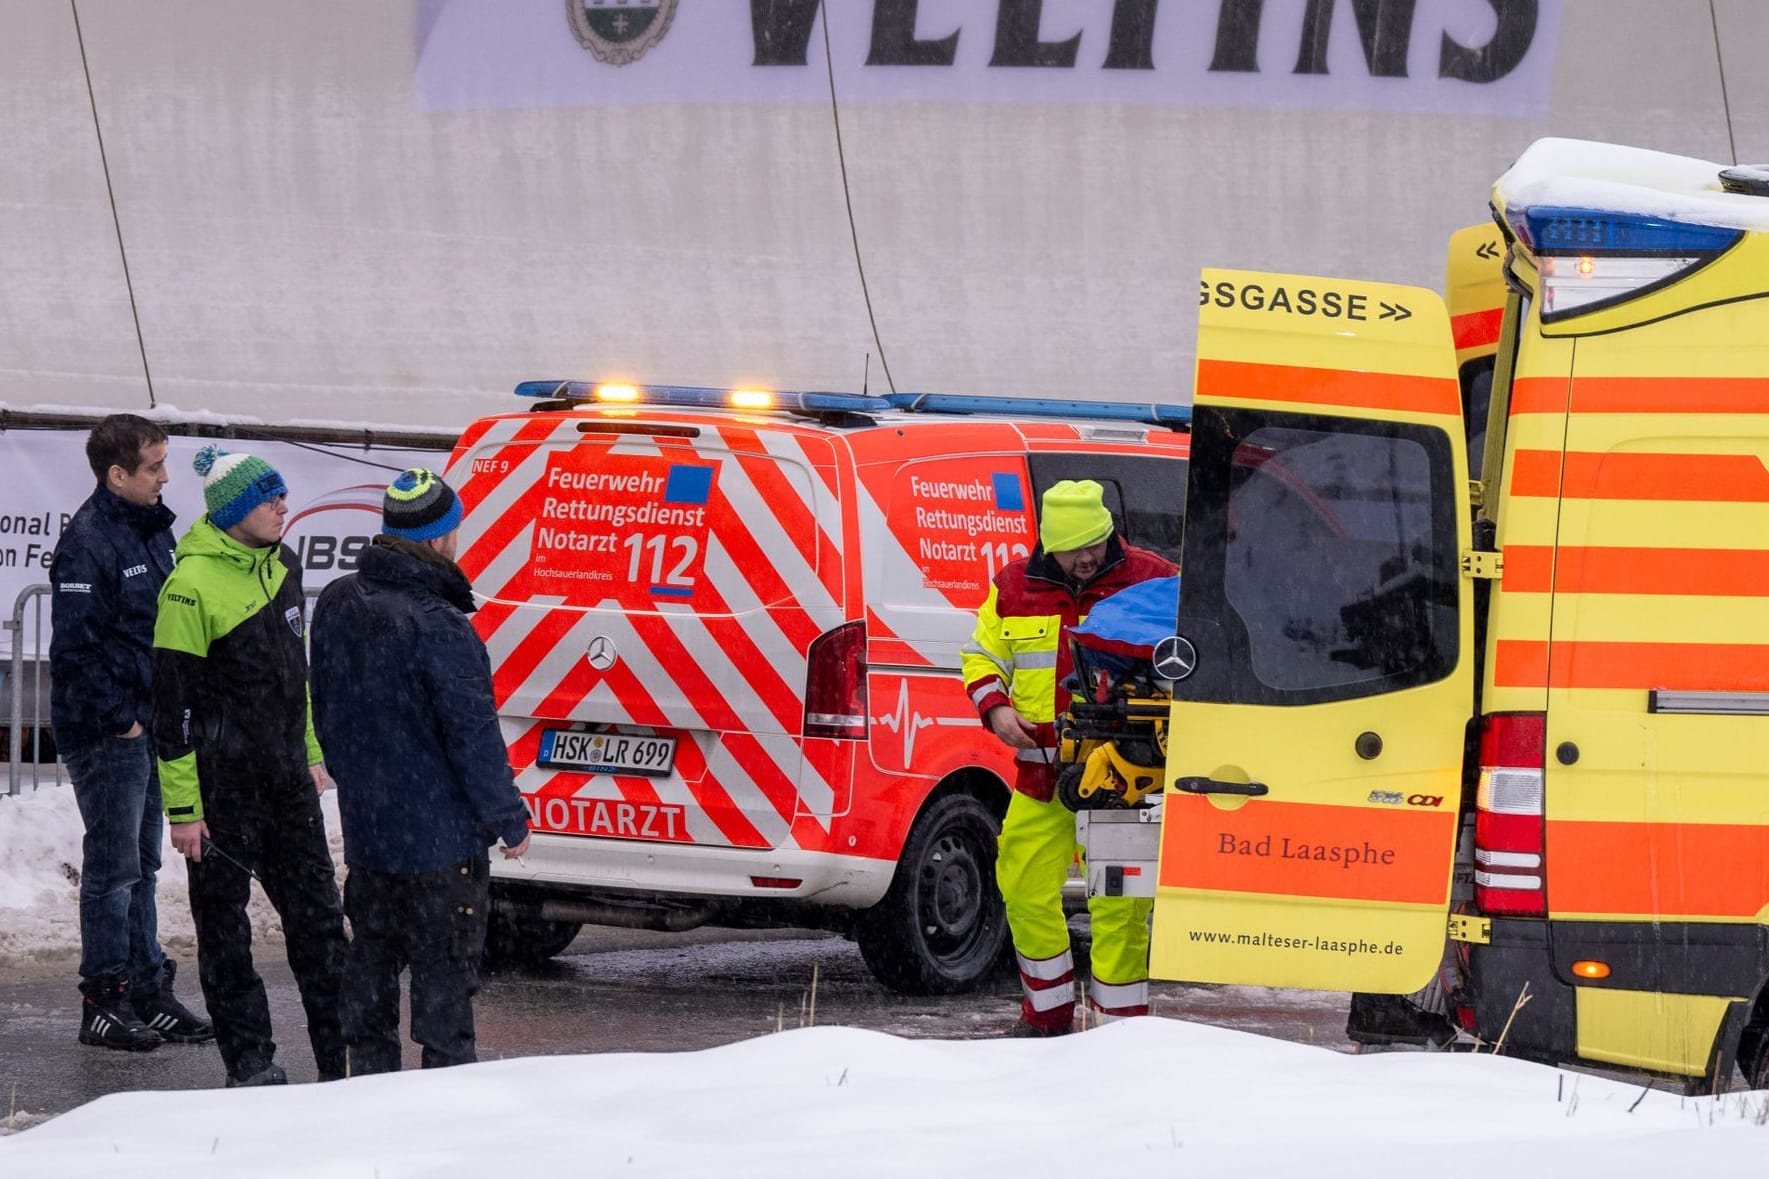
1015, 668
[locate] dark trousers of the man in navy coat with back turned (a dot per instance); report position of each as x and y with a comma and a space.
433, 923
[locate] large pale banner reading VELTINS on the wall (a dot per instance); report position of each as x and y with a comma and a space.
1459, 58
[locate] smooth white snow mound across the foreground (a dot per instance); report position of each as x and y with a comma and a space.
1137, 1098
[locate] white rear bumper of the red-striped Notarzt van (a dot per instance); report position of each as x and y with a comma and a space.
576, 863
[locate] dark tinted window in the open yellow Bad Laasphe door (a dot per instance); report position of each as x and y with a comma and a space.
1328, 550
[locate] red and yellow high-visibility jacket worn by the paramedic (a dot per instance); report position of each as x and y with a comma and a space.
1020, 652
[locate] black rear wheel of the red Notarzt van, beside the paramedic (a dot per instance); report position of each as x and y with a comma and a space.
942, 927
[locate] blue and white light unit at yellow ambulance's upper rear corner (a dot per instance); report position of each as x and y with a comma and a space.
1591, 259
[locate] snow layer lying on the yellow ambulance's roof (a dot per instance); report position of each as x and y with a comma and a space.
1581, 174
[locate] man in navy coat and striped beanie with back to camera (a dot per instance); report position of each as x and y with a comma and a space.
402, 705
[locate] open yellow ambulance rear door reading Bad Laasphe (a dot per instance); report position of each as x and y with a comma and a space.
1317, 743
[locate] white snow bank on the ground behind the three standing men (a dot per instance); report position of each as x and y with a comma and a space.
40, 881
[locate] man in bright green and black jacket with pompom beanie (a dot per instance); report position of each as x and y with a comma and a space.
240, 767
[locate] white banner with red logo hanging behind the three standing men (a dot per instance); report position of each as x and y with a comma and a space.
333, 505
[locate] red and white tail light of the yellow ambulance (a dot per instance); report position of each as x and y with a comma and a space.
1510, 828
